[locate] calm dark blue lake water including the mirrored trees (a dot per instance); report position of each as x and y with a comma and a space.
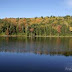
19, 54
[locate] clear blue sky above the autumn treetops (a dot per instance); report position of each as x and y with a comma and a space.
35, 8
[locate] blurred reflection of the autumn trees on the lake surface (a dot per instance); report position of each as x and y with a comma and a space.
47, 46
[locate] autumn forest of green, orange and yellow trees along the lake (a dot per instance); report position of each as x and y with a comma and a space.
38, 26
